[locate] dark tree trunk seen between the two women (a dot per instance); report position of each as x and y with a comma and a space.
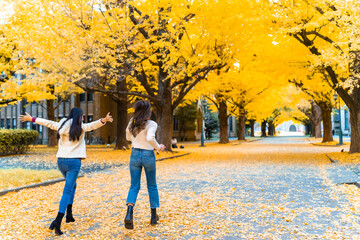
122, 117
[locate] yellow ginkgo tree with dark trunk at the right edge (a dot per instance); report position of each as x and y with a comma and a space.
330, 32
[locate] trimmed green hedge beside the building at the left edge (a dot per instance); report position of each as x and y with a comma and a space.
16, 141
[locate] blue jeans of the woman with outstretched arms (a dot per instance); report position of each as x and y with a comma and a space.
69, 168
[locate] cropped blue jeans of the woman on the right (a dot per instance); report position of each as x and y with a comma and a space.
143, 158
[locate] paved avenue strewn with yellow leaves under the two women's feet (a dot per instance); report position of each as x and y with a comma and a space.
275, 188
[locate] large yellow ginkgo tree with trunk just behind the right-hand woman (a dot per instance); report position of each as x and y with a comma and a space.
159, 50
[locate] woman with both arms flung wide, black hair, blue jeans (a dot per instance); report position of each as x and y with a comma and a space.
72, 148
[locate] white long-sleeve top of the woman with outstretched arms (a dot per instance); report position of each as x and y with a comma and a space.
67, 148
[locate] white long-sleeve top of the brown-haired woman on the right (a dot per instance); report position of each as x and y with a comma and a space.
145, 138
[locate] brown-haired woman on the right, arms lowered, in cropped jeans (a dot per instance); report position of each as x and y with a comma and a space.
141, 132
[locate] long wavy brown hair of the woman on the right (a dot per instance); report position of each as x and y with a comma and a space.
141, 115
